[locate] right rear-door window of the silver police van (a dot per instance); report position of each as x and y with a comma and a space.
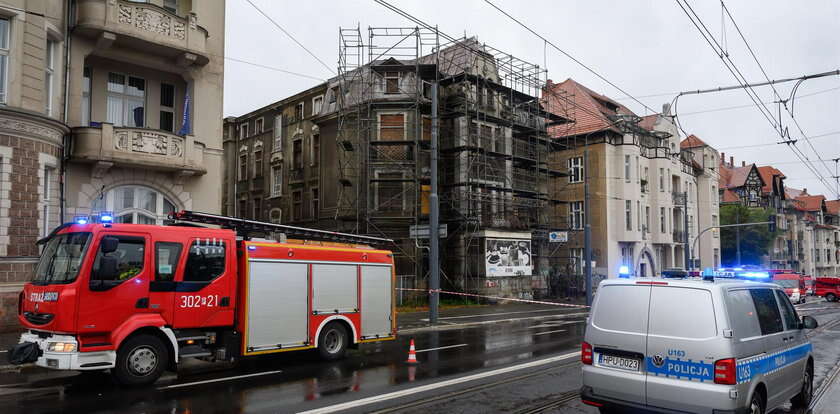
670, 305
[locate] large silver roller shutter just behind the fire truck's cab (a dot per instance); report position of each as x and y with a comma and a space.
277, 304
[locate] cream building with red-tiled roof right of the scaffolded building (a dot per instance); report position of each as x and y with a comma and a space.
645, 185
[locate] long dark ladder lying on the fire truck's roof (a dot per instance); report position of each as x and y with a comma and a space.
243, 227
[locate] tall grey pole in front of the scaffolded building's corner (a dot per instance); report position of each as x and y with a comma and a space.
434, 230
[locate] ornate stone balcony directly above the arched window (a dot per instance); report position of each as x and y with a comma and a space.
108, 146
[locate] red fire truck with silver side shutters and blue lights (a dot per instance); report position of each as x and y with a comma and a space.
138, 299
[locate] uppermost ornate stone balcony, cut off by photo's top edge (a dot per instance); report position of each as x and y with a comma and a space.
144, 26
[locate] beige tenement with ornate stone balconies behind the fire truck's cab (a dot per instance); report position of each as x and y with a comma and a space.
120, 113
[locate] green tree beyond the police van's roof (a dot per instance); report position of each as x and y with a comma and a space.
755, 240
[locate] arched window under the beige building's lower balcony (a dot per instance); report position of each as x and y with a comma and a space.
134, 204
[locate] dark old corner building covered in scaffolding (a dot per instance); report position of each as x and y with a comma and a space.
373, 173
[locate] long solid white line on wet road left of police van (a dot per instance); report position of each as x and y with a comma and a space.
423, 388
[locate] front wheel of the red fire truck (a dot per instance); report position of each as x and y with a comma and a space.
141, 360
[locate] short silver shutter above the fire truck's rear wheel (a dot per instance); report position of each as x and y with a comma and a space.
335, 288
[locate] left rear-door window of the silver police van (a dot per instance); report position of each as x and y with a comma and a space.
622, 308
